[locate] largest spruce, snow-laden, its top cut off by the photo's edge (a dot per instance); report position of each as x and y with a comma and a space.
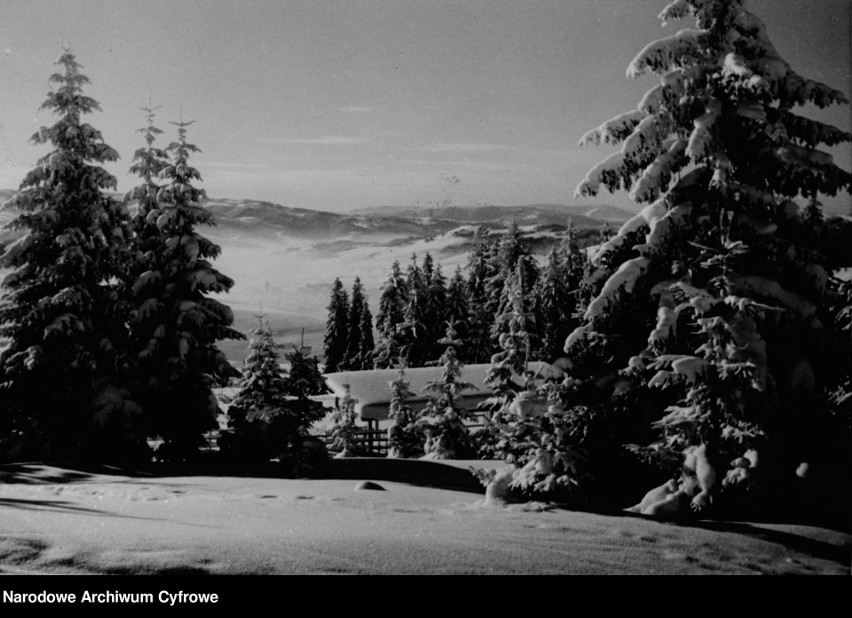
724, 281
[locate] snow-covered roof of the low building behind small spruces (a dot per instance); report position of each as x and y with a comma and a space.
371, 389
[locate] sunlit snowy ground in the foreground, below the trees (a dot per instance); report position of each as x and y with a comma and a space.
430, 519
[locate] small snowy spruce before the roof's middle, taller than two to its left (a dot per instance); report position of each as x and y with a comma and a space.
443, 419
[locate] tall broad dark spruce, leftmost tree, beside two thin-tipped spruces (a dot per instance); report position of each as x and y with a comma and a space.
64, 374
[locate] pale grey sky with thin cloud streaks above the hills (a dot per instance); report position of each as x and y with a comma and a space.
345, 104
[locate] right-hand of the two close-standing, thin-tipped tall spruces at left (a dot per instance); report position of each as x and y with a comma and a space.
175, 325
